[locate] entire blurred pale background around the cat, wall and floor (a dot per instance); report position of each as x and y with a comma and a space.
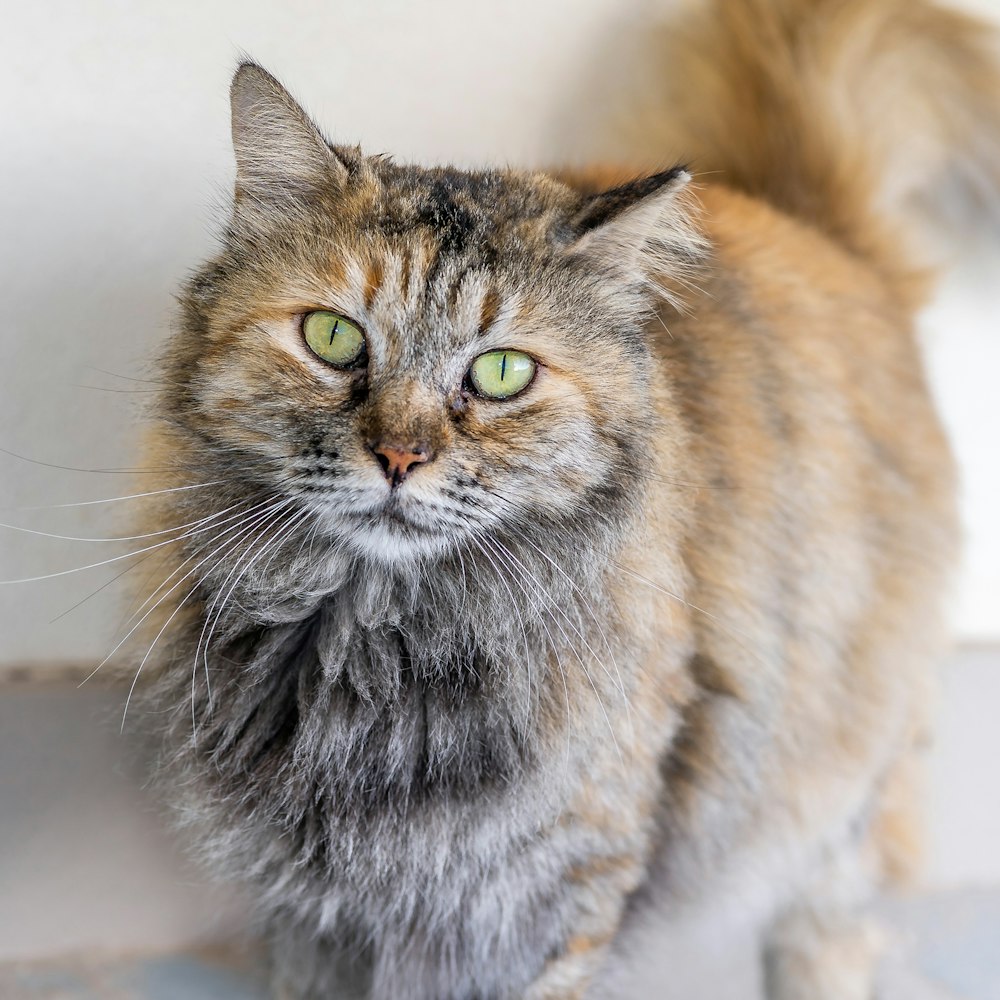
115, 172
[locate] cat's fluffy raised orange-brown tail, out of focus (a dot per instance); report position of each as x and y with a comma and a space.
843, 113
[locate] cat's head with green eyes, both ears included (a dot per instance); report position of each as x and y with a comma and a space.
422, 355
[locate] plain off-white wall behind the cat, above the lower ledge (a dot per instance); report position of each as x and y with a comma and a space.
115, 161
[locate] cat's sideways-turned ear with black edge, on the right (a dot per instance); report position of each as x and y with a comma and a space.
635, 225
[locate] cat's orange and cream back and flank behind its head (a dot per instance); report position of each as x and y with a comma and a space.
822, 527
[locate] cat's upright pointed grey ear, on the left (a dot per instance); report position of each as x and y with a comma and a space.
280, 154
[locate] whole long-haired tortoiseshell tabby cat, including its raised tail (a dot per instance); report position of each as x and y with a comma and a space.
553, 547
